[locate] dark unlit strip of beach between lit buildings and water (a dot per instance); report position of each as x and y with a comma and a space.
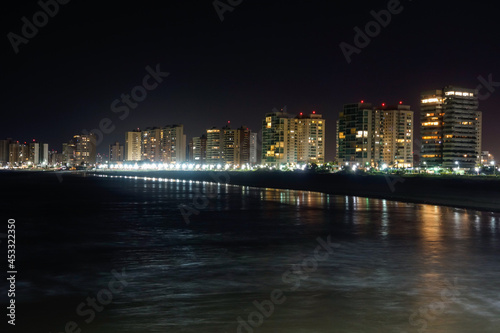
467, 193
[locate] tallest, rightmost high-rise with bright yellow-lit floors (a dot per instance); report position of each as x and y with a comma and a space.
451, 128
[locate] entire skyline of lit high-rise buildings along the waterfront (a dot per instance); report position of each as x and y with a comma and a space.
368, 136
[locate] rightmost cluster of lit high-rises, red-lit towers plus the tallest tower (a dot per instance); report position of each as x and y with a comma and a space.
383, 136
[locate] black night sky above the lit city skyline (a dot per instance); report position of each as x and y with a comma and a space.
264, 54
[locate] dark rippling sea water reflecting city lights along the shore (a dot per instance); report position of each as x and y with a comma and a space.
101, 254
